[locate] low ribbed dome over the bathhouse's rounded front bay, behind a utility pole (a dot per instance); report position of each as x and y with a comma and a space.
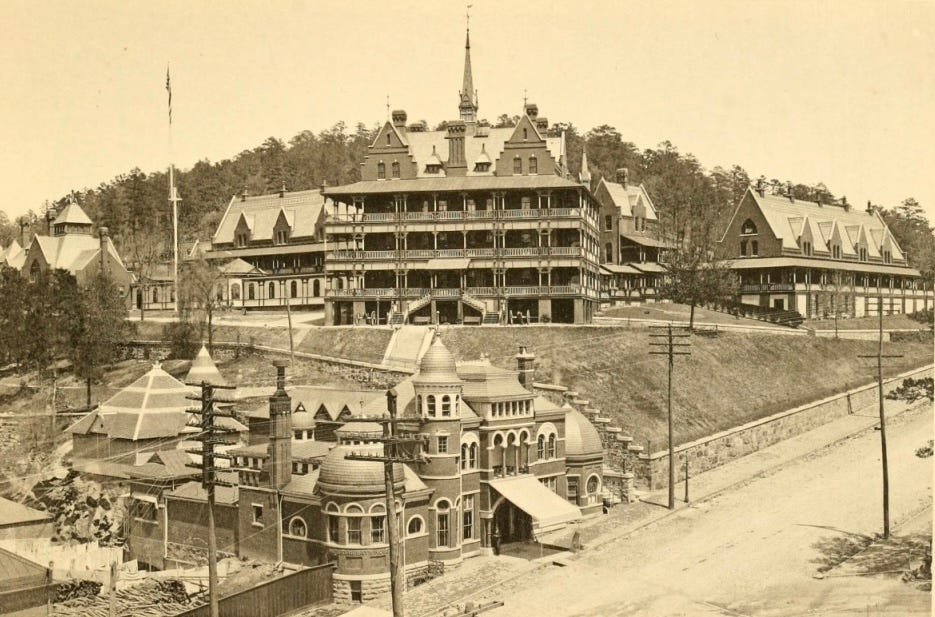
341, 475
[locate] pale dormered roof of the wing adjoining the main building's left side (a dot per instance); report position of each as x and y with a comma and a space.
301, 208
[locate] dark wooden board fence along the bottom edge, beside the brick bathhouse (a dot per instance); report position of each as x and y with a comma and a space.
277, 597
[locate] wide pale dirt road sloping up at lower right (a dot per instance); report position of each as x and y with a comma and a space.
756, 550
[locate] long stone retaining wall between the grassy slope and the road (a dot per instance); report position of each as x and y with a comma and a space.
652, 470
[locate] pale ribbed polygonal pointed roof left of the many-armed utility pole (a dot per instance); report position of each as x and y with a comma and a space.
155, 405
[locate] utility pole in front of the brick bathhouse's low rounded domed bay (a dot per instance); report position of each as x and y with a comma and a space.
392, 454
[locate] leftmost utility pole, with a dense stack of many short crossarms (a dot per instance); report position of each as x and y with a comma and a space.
211, 435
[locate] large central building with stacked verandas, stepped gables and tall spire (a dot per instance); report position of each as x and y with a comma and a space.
466, 224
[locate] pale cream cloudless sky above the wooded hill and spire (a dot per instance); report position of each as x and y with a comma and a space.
841, 92
